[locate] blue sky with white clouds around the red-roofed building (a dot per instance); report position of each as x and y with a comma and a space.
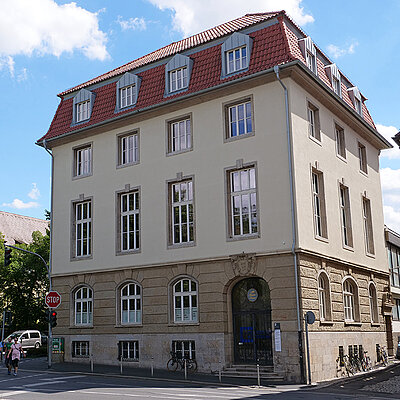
47, 46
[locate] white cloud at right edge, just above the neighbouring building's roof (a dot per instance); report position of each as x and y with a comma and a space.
390, 179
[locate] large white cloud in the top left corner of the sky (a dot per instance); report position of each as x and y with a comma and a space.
44, 27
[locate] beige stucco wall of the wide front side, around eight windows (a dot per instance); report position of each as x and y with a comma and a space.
206, 163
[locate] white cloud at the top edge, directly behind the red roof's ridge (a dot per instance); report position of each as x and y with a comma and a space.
194, 16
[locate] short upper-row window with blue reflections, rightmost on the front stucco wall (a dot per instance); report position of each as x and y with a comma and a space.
239, 119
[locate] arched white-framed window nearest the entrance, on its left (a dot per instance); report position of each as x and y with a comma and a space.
185, 300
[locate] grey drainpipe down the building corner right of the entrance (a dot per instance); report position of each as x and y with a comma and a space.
293, 218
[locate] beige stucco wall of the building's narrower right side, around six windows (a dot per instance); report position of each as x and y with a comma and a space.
306, 152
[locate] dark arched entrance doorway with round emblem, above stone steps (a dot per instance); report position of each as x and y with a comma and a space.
252, 327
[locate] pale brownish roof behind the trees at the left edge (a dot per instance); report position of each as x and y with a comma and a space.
19, 228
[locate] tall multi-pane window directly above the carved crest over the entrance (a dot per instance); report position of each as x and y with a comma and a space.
243, 202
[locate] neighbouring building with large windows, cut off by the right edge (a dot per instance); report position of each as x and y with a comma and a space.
393, 250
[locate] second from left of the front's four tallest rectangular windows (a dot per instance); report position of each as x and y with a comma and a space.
129, 221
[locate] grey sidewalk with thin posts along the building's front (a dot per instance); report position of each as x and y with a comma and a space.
40, 364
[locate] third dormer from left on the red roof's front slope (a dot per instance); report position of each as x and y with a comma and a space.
177, 74
